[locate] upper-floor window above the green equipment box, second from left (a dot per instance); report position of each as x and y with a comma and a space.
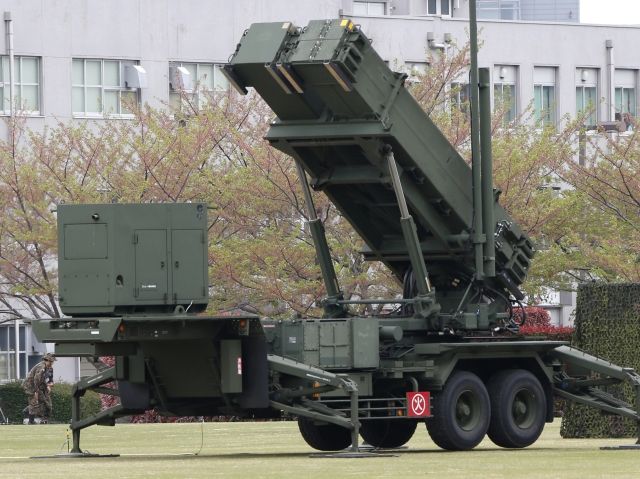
98, 88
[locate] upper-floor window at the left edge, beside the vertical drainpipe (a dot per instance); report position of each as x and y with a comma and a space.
26, 83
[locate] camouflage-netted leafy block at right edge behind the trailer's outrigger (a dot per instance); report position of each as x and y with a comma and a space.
607, 325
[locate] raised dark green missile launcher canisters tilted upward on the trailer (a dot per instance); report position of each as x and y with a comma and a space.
350, 124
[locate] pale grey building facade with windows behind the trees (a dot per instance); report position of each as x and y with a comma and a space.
82, 60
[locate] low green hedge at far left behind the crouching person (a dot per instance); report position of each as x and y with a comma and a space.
13, 400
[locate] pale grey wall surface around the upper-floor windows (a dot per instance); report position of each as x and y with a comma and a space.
156, 32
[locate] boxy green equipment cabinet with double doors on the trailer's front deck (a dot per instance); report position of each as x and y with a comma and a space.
127, 258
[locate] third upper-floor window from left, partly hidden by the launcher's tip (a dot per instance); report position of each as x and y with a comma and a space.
203, 80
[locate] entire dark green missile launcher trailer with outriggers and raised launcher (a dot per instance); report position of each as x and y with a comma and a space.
133, 278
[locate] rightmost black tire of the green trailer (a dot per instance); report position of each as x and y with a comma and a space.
518, 408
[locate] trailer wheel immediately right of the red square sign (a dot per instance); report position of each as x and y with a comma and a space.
460, 413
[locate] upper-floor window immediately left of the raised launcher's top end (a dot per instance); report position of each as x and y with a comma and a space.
206, 79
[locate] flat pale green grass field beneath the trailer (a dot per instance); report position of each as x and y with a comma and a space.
276, 450
